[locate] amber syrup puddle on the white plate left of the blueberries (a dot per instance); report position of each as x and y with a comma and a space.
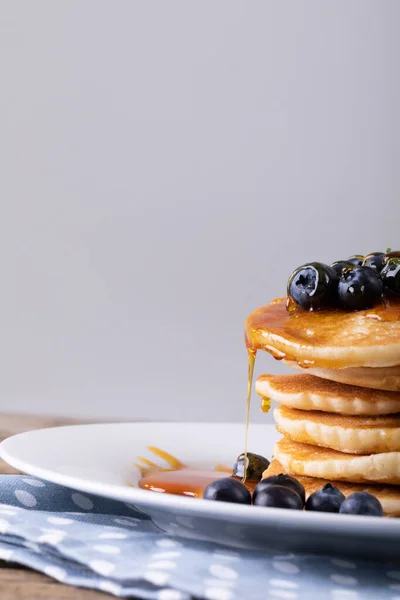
182, 480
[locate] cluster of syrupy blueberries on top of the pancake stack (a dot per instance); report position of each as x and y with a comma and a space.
353, 284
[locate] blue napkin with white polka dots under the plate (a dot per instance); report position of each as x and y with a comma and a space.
92, 542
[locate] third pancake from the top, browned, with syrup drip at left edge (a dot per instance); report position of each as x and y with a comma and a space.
307, 392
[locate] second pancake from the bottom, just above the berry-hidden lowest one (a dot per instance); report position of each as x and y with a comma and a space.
313, 461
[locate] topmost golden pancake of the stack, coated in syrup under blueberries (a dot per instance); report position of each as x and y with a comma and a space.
328, 338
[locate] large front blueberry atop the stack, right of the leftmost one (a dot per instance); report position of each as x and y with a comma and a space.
360, 288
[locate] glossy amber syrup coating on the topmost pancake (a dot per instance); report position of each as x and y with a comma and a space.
283, 332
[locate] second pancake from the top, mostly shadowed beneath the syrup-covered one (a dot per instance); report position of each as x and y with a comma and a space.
384, 378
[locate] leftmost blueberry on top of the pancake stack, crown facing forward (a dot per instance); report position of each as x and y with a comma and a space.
313, 286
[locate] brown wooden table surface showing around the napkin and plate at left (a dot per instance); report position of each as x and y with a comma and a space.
17, 583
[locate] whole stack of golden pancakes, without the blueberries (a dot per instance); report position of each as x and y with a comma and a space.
340, 417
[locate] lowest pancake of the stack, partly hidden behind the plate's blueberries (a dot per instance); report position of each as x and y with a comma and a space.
389, 496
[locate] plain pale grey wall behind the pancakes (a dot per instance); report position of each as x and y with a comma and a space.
164, 167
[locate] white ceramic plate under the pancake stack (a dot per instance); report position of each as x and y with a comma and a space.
98, 459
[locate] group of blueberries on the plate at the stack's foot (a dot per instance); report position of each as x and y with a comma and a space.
284, 491
